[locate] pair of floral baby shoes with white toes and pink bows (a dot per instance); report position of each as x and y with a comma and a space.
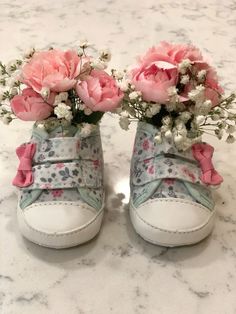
61, 195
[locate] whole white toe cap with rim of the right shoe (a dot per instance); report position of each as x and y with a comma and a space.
172, 221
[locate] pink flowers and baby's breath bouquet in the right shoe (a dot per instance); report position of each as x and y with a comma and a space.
174, 88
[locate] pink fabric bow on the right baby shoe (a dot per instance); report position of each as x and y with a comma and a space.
203, 153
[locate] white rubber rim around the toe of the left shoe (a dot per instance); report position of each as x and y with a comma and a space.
61, 240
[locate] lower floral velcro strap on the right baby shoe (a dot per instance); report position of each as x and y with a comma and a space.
161, 167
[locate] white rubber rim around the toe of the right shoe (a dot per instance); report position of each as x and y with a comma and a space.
170, 238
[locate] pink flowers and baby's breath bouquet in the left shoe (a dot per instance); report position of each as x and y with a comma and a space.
58, 87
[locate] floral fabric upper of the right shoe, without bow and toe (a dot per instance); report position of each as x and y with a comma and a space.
161, 171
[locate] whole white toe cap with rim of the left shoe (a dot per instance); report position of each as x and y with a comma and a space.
59, 224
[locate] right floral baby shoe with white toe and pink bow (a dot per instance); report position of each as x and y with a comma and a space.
171, 202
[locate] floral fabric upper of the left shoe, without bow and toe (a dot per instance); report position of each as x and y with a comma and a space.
66, 168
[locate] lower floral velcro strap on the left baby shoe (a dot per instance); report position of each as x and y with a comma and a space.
84, 173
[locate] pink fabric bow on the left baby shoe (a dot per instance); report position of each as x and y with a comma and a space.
24, 176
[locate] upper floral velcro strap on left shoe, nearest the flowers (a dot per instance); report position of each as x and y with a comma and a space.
67, 148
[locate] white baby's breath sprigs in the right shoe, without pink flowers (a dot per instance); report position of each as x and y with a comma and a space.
183, 122
